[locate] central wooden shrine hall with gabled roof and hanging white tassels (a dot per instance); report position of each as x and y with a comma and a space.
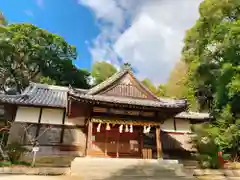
119, 114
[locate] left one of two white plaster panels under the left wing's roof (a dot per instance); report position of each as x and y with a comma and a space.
27, 114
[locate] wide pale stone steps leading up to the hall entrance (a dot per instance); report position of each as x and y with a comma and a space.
127, 169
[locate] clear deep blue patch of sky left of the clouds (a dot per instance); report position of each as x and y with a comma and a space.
74, 22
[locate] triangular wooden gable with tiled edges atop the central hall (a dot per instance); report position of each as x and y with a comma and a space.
123, 84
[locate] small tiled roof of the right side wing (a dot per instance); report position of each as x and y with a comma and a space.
193, 115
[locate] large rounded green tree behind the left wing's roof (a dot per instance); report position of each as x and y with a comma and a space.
28, 53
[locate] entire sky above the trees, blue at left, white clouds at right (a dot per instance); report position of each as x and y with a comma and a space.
148, 34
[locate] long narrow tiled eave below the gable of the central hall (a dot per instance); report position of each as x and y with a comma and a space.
130, 101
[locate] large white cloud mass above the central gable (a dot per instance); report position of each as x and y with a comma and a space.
147, 34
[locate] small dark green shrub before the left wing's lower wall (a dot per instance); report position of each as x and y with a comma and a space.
14, 151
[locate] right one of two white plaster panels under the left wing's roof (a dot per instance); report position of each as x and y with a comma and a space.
52, 116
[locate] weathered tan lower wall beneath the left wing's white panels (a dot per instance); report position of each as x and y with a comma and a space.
73, 141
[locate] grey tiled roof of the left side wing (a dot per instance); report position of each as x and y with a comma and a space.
39, 95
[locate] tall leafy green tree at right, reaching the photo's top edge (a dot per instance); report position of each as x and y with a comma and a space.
211, 50
